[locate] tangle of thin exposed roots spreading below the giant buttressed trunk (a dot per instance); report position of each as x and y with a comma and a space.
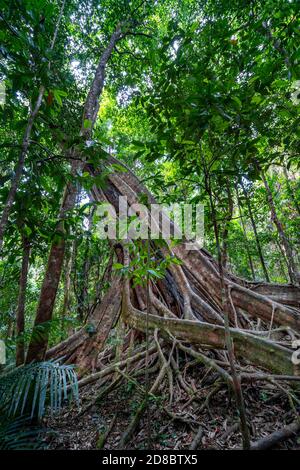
175, 356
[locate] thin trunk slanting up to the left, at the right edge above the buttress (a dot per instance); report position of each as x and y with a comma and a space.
277, 222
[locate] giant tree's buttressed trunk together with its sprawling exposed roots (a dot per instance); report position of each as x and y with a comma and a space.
186, 312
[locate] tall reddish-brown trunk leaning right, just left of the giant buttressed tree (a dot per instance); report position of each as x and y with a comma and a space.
38, 346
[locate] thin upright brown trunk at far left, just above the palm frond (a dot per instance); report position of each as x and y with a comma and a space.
20, 317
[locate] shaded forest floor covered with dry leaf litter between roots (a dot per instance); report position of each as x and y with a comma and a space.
267, 410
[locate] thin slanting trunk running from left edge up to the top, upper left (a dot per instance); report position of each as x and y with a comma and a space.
25, 145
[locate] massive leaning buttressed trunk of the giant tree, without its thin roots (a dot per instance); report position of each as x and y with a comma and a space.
193, 287
